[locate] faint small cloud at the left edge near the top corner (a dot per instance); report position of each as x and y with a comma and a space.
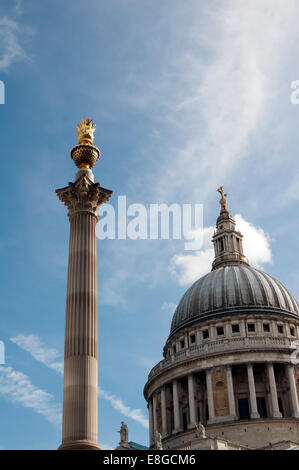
10, 47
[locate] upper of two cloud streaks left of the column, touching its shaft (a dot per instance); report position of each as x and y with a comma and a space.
33, 345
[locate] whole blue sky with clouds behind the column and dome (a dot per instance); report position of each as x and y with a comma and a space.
186, 96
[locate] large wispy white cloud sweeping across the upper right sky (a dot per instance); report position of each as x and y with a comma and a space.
212, 93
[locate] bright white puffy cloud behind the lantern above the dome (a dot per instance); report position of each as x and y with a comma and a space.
256, 244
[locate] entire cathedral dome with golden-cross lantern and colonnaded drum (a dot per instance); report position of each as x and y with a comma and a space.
229, 365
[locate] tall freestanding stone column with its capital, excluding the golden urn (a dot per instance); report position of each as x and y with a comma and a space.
80, 392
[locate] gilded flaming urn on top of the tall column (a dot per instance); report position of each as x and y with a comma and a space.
85, 154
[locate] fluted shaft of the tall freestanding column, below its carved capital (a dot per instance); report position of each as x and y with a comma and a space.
80, 400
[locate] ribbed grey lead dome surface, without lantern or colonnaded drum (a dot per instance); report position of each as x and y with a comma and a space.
232, 289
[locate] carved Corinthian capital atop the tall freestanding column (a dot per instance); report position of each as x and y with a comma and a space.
83, 196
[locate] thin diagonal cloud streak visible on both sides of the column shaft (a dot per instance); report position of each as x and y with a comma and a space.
47, 356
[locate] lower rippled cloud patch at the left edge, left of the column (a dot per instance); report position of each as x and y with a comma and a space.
18, 388
